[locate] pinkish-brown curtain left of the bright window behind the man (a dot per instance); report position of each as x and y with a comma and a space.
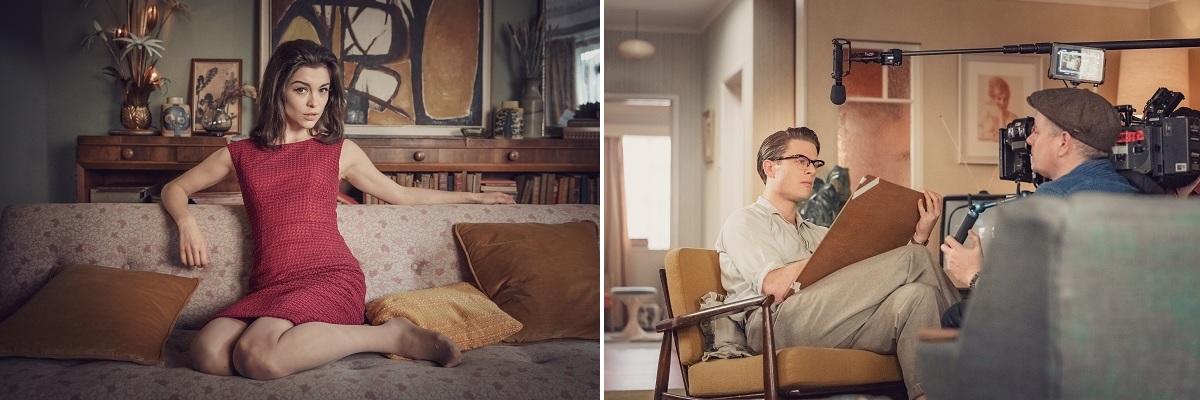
616, 238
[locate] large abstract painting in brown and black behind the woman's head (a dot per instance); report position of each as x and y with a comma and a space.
409, 68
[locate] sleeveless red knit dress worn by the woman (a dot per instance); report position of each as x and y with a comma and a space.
304, 272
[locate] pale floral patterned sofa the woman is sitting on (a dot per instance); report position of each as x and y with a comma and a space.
400, 249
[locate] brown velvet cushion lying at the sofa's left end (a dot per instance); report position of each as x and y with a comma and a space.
98, 313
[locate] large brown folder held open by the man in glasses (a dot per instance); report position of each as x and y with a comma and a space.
880, 217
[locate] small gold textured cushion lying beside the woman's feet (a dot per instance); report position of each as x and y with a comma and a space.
460, 312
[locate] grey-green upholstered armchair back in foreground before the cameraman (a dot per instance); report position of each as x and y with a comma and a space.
1093, 297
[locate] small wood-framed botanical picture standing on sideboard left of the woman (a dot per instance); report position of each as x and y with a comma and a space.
215, 95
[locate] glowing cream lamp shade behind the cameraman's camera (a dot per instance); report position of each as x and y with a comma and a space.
1144, 71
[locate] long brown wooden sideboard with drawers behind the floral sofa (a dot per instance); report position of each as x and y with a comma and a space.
105, 160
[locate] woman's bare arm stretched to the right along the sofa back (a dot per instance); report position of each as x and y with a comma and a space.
359, 171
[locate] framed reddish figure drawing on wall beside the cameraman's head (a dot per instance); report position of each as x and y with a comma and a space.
992, 94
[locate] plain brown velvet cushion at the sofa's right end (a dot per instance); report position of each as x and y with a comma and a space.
545, 276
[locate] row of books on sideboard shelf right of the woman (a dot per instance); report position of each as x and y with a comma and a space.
526, 189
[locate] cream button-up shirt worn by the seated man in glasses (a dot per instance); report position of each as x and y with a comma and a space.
757, 241
